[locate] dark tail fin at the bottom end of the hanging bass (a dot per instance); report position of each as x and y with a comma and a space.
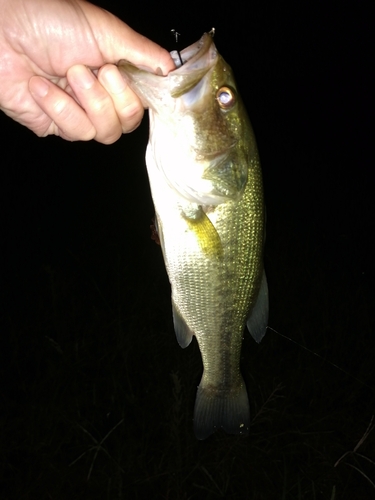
217, 408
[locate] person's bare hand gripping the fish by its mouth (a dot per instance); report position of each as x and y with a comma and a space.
57, 69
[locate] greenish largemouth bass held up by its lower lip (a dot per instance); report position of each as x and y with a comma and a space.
206, 183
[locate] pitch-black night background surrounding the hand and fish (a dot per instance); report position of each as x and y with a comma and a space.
97, 397
